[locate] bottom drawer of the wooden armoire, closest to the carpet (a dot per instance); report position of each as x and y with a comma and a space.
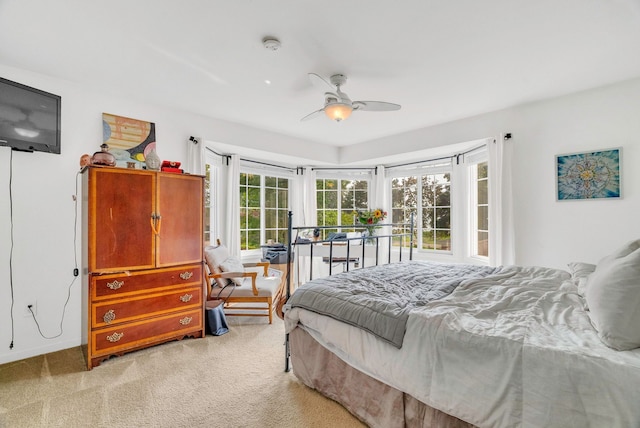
141, 333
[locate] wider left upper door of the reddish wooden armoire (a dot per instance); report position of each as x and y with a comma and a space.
121, 204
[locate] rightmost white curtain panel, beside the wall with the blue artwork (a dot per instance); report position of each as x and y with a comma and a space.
501, 234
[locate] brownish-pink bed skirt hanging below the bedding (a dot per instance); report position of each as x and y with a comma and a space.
371, 401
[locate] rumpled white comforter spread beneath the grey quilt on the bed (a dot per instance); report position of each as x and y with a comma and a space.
515, 349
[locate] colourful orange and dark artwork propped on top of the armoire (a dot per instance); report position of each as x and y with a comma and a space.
129, 140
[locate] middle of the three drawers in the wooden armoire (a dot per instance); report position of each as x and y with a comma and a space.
112, 312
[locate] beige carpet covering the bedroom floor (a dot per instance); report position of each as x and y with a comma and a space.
234, 380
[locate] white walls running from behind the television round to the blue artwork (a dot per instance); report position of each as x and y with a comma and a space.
547, 232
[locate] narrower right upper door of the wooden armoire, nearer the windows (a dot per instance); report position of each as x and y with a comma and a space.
180, 200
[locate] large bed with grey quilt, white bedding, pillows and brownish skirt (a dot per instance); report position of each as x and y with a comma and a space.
511, 346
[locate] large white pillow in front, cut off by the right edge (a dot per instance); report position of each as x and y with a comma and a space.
613, 296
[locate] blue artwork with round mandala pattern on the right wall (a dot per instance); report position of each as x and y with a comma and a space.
589, 175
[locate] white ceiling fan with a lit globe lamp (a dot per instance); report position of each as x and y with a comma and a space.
337, 105
